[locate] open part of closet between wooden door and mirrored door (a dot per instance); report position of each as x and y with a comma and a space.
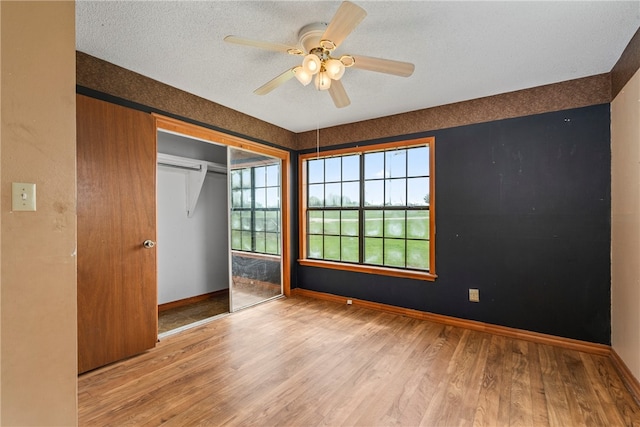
192, 236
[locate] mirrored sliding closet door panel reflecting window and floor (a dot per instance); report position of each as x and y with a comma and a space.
255, 228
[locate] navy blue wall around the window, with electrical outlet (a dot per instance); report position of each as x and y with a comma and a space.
523, 214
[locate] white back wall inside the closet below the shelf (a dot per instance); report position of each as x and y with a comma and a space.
192, 252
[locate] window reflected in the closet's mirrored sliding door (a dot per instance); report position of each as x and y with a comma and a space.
255, 216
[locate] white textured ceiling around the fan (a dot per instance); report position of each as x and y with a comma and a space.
462, 50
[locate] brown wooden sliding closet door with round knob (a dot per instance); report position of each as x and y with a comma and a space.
117, 286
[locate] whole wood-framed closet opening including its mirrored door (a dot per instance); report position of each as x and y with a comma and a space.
221, 224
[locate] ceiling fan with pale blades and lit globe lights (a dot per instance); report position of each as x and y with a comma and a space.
318, 42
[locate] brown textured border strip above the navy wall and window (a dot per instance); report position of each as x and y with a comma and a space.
577, 93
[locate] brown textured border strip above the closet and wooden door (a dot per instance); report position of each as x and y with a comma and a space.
102, 76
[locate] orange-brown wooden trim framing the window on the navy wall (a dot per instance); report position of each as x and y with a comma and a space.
380, 270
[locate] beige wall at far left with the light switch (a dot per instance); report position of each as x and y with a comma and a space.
38, 264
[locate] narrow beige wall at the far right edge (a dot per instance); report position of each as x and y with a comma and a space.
625, 224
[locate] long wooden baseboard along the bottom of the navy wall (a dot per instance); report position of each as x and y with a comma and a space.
586, 347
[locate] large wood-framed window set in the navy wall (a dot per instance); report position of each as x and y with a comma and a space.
370, 209
